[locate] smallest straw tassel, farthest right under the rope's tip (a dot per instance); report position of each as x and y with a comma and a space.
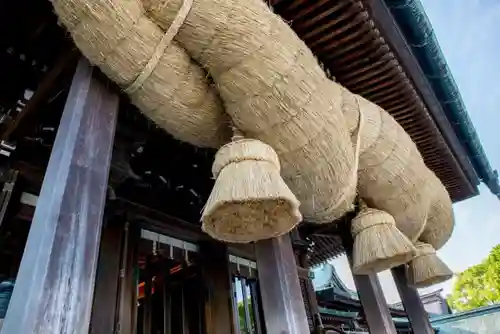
427, 268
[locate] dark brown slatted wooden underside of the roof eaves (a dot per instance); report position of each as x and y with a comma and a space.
361, 46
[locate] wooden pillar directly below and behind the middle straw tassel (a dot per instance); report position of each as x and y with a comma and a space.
370, 293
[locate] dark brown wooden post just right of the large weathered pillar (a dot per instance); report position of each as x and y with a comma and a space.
104, 310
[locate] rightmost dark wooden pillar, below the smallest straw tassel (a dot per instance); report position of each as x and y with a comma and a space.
418, 316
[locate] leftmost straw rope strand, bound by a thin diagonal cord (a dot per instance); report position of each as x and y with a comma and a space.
117, 37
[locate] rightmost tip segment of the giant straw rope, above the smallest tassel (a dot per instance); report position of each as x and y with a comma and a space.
440, 221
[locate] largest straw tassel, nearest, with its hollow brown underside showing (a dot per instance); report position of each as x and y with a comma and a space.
249, 201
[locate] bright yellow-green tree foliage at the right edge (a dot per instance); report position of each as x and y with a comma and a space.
479, 285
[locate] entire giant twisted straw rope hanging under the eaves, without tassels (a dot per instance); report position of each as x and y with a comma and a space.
273, 90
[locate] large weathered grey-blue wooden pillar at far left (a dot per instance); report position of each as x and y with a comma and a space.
55, 285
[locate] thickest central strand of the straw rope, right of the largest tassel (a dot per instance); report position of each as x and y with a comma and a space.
275, 91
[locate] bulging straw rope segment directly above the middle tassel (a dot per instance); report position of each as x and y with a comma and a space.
391, 172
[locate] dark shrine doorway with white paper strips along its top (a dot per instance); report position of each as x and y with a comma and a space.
170, 292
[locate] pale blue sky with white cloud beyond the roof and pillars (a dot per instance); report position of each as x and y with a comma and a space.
469, 34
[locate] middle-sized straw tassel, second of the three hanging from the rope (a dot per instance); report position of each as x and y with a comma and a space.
378, 244
